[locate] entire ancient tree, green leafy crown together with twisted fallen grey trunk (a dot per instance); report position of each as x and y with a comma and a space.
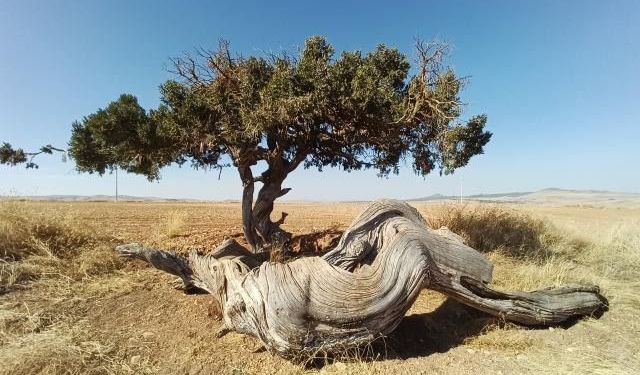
279, 112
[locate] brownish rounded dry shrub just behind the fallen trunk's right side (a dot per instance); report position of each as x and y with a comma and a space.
488, 227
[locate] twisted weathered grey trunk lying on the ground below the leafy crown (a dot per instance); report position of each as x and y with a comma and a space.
362, 288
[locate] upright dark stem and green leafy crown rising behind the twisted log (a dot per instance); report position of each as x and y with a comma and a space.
353, 111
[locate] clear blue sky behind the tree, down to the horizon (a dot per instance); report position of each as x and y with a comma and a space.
558, 80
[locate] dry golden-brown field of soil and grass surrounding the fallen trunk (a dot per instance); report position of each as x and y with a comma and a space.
69, 305
